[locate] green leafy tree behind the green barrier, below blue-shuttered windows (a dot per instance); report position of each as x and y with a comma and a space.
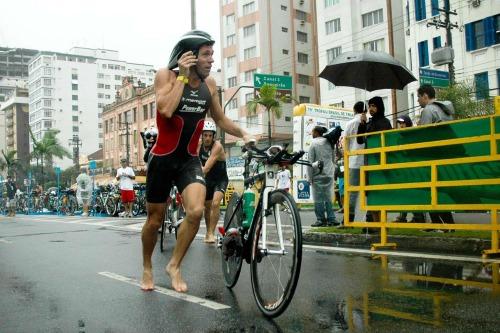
462, 95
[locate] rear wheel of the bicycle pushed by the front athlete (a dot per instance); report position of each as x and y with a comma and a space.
231, 267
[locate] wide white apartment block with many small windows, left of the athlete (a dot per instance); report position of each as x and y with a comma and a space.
68, 91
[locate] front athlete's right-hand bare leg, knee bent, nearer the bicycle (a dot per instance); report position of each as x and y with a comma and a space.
193, 198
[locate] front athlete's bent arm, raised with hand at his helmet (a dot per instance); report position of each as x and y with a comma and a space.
168, 89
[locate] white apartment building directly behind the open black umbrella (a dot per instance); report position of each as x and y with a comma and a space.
353, 25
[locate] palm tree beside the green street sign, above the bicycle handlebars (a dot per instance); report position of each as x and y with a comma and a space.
269, 99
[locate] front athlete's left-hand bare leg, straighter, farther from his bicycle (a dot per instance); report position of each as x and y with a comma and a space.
156, 212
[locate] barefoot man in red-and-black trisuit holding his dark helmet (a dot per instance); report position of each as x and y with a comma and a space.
183, 98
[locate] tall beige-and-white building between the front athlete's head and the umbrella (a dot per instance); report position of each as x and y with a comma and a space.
272, 37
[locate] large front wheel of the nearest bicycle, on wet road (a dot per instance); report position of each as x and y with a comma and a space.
275, 265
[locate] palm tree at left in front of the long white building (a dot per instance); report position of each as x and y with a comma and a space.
48, 148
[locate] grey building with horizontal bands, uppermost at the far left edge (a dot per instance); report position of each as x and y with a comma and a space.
13, 69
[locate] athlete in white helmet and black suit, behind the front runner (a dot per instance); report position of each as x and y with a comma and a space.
213, 160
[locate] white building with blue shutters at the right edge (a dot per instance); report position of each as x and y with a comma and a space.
476, 42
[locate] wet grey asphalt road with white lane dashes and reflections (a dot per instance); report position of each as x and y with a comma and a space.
61, 275
